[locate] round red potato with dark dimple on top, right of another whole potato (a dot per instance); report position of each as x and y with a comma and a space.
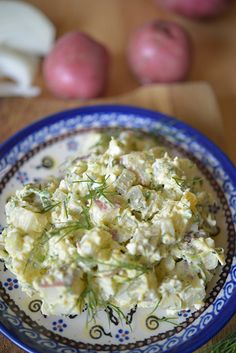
159, 51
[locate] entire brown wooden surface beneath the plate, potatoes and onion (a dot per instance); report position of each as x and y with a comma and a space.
112, 22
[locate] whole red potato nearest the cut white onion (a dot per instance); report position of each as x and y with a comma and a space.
77, 67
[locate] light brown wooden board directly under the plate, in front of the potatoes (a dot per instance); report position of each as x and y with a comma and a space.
193, 103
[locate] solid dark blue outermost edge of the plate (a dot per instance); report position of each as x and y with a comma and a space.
229, 310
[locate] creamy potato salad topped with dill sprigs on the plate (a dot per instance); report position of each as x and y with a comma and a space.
128, 224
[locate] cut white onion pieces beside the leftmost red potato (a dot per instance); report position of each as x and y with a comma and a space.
25, 34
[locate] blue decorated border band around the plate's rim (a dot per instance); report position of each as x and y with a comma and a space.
193, 141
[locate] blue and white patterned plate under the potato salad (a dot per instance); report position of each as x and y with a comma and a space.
35, 153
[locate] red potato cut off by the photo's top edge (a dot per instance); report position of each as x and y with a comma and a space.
195, 8
